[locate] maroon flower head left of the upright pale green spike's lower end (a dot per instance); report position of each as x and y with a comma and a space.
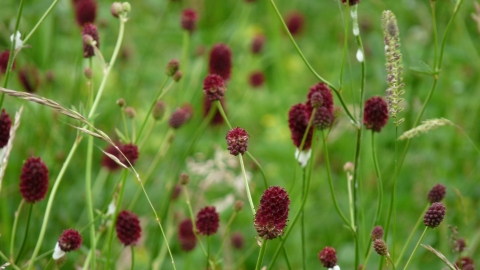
375, 114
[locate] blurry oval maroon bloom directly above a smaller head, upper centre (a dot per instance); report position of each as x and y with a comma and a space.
221, 61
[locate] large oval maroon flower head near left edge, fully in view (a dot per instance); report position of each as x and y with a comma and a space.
34, 180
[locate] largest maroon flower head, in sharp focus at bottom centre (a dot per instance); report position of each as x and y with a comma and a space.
272, 214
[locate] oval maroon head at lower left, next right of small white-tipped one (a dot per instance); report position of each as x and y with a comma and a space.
128, 228
